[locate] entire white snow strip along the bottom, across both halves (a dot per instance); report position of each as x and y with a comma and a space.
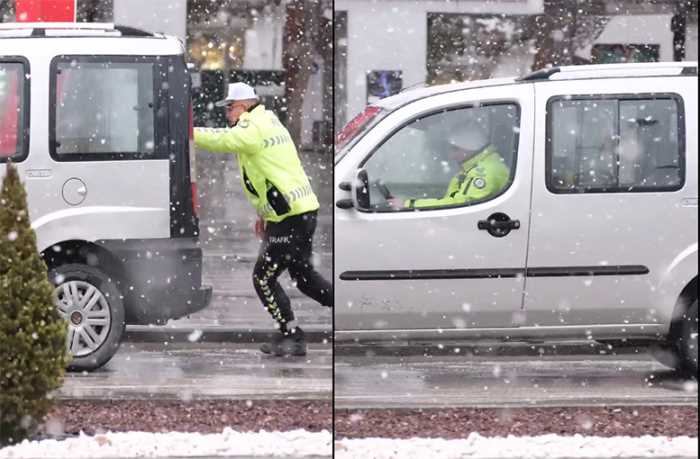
300, 443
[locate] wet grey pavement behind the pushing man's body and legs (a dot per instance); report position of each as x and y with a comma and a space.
230, 250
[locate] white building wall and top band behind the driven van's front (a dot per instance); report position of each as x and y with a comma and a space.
393, 35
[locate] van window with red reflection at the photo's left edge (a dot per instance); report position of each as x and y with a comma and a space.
12, 111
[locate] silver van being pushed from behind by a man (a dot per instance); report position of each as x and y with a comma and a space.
97, 119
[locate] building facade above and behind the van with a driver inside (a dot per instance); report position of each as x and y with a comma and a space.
383, 47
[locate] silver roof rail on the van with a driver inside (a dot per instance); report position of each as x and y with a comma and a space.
573, 72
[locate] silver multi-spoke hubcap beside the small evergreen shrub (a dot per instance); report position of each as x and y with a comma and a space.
86, 309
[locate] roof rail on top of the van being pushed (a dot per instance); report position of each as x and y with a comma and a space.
69, 29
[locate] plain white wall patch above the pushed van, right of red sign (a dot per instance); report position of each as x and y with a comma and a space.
164, 16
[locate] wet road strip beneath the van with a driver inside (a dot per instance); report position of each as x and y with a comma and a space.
457, 377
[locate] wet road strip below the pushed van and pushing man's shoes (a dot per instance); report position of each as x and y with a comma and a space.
204, 371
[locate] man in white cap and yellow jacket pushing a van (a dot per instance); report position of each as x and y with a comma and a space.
275, 183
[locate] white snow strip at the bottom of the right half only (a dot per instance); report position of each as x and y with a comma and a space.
541, 447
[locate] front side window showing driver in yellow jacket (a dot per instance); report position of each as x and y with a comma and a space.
452, 158
